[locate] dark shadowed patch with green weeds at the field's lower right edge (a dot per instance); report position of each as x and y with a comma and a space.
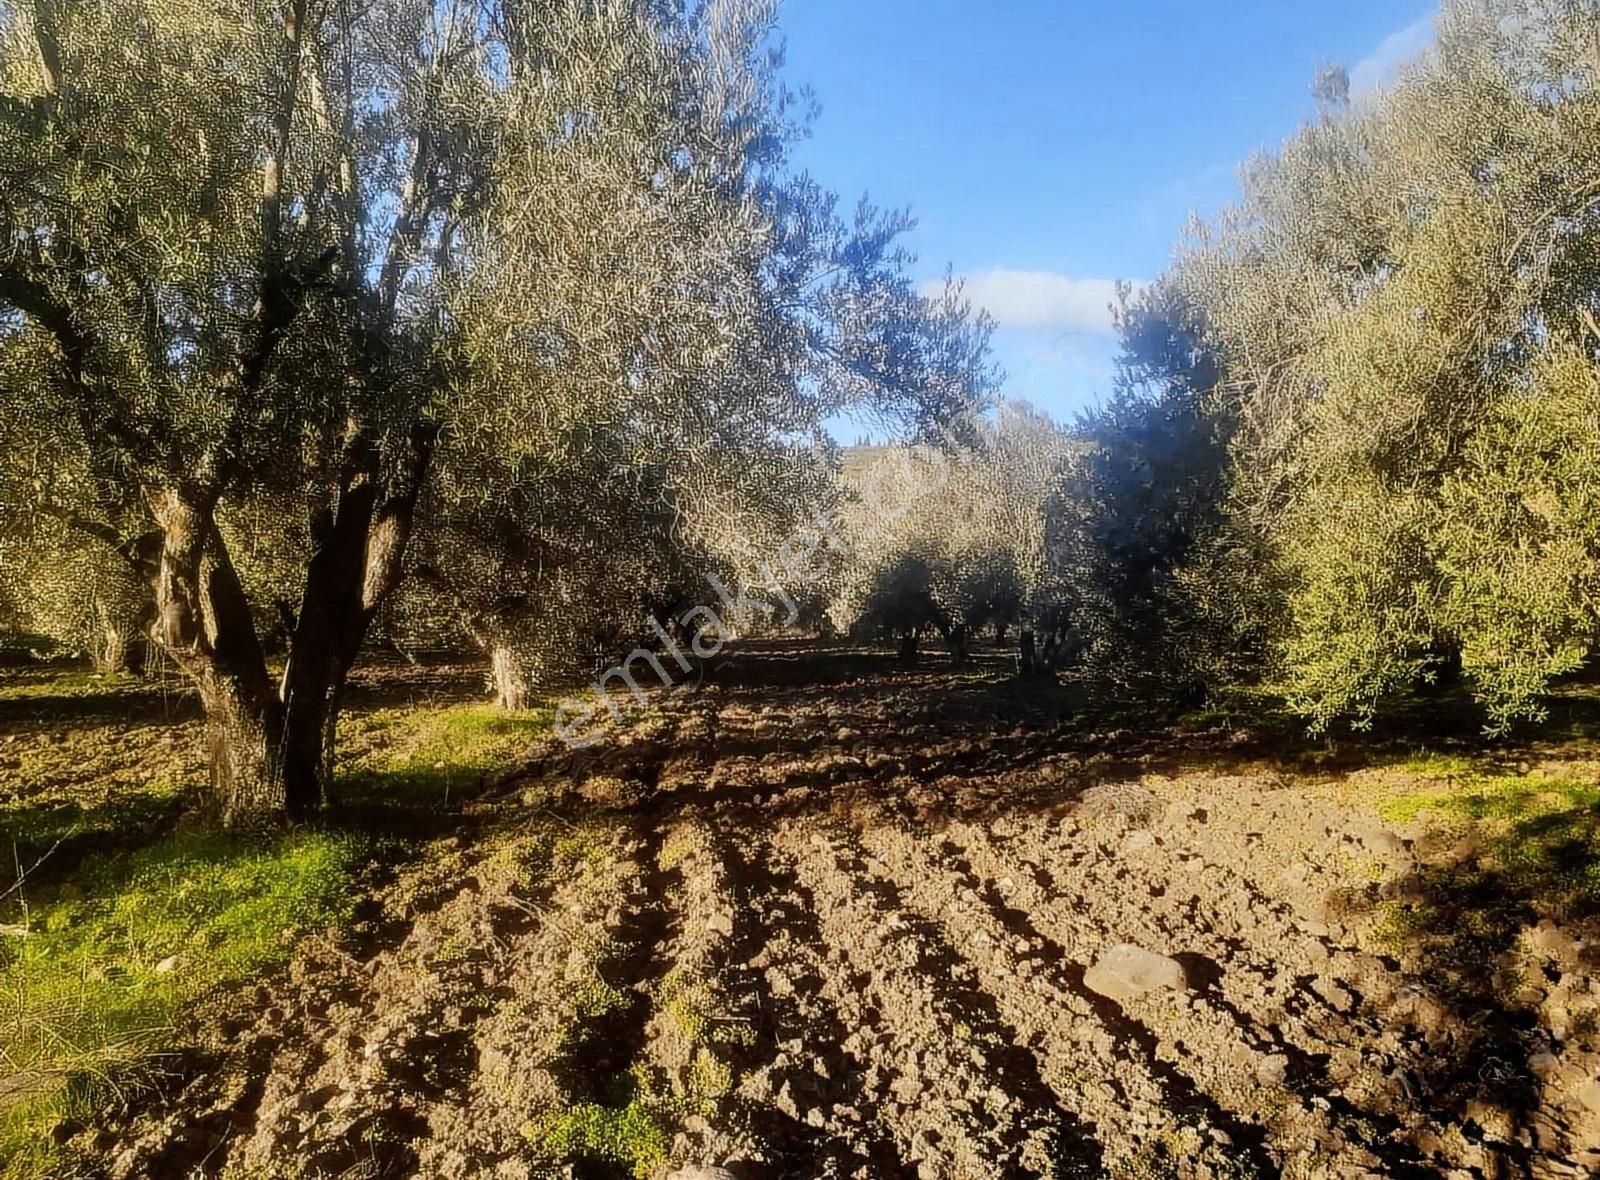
1503, 925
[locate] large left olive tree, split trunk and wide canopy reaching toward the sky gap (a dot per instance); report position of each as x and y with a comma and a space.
338, 268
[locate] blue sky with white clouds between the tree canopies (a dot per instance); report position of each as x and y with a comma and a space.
1050, 148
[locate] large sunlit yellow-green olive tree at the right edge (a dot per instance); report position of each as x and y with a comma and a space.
1402, 309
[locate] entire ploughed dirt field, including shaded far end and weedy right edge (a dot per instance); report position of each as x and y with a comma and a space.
825, 917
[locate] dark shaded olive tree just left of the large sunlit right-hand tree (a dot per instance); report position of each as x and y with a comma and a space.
1154, 586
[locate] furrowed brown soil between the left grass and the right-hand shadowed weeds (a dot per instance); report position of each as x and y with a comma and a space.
788, 949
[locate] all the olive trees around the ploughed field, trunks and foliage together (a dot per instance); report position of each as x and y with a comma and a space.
506, 325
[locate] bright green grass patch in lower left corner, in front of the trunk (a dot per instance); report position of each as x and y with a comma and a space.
103, 978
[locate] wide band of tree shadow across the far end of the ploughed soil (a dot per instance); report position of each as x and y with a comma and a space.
839, 720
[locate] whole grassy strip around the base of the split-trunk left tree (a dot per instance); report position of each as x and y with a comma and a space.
119, 915
